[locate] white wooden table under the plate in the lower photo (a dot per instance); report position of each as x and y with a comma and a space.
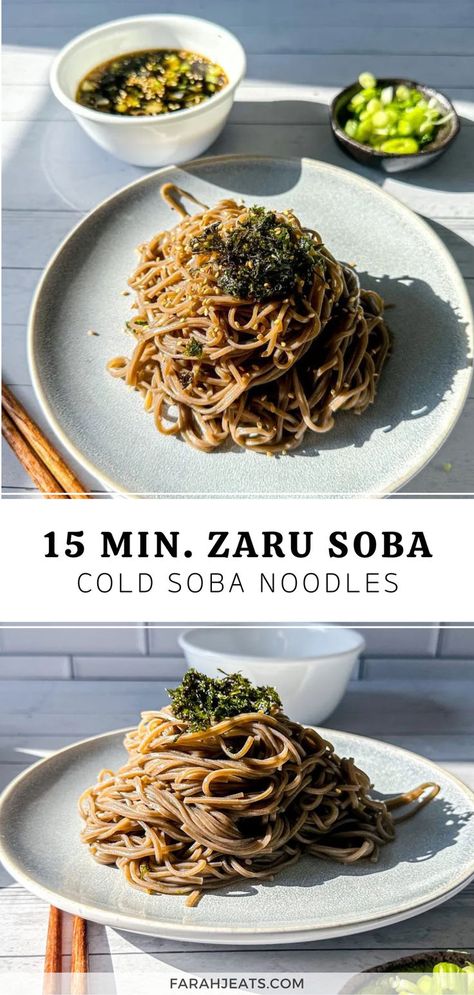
431, 717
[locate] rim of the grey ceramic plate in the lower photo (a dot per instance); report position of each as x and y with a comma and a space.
221, 934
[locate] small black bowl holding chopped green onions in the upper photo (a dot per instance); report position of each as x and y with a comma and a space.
392, 162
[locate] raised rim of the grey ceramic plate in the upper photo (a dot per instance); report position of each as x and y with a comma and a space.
114, 485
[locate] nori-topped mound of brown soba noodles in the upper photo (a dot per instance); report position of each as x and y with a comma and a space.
248, 329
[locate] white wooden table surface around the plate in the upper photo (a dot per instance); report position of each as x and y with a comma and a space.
299, 54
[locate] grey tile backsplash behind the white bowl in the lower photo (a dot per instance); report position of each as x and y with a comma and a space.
143, 652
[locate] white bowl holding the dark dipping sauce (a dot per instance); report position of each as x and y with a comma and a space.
160, 139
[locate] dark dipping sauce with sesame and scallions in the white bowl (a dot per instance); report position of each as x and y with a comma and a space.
158, 81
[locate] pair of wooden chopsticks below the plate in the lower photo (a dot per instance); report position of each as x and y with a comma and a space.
53, 956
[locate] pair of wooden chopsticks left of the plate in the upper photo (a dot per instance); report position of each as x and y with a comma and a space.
25, 430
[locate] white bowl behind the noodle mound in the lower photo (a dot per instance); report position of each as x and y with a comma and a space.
309, 666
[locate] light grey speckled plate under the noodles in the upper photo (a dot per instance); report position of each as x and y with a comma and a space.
422, 389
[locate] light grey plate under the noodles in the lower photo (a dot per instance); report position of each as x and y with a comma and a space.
431, 859
